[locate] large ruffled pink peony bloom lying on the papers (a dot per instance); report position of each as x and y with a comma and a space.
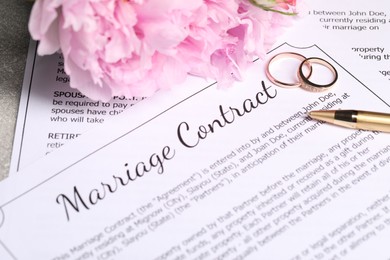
136, 47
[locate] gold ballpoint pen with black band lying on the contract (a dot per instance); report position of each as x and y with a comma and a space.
354, 119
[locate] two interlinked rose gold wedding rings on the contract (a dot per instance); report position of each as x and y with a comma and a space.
305, 71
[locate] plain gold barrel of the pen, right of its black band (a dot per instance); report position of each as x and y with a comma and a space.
373, 121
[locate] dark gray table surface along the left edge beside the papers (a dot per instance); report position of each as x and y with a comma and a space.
14, 39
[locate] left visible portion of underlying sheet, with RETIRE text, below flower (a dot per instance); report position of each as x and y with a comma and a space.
51, 113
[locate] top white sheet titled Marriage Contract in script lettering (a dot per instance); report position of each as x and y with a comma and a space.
202, 173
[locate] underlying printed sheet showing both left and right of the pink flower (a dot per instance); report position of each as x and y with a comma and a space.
51, 113
